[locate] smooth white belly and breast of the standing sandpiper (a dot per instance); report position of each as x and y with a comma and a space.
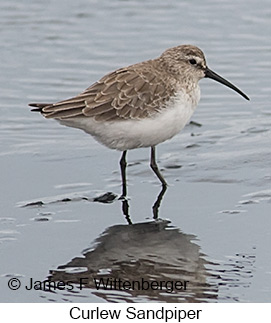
131, 134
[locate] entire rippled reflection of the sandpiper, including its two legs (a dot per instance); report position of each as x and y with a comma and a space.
150, 261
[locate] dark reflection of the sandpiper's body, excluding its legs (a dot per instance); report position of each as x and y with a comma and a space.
152, 252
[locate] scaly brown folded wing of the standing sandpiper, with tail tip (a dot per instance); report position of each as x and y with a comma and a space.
134, 92
